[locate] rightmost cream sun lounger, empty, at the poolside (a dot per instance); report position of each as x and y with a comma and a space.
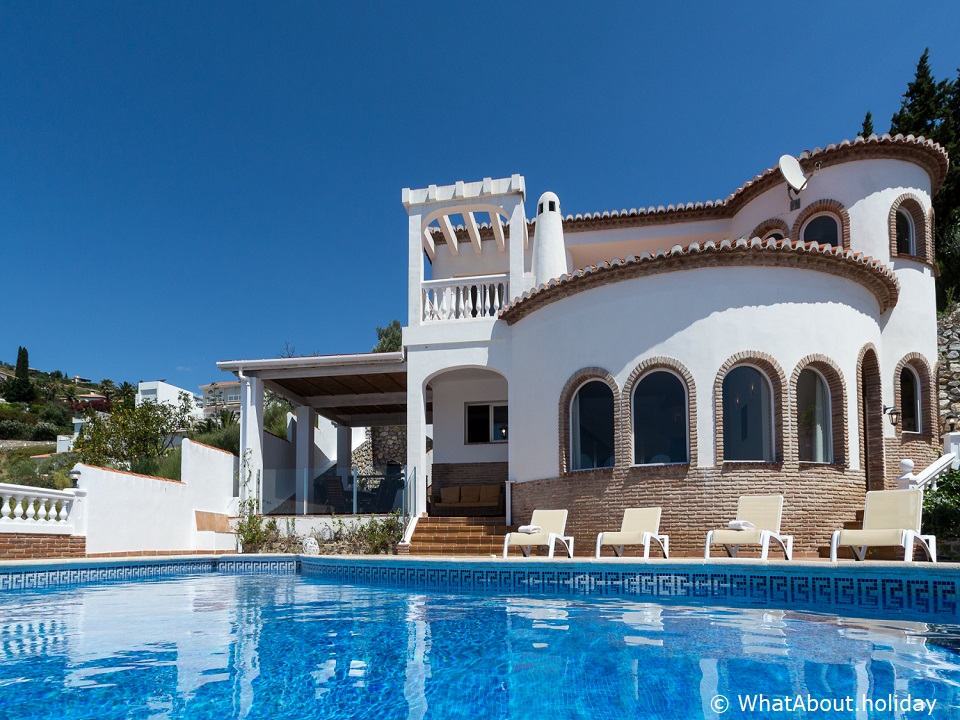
891, 518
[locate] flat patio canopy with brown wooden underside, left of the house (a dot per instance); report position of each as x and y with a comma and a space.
363, 390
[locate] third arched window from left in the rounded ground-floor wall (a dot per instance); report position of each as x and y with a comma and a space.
747, 411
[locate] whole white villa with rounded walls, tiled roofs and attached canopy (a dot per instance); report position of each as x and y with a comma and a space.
678, 356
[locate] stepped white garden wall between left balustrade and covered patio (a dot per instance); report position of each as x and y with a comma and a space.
130, 513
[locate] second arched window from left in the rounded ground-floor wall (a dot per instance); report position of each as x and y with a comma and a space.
660, 419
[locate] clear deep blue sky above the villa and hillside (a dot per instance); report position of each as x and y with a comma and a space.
182, 183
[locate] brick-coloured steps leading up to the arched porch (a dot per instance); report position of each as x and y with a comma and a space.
464, 536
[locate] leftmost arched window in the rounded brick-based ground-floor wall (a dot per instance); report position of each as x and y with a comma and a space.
591, 427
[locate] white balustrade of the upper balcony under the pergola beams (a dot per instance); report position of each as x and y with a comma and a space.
464, 298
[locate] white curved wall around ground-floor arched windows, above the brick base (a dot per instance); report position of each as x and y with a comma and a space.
698, 317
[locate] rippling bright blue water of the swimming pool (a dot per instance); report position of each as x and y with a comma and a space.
274, 647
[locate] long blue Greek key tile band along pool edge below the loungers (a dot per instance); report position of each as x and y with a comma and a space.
921, 594
